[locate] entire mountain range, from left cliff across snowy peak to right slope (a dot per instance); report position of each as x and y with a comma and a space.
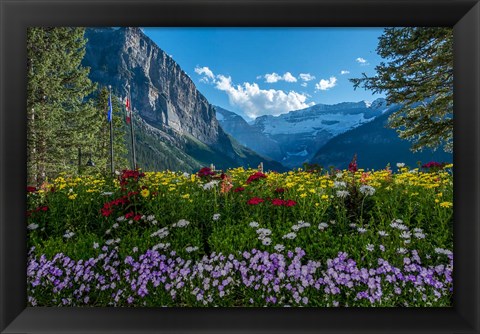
178, 129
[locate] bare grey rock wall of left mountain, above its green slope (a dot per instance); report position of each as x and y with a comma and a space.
162, 93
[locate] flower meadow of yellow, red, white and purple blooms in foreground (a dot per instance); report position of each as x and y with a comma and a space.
241, 237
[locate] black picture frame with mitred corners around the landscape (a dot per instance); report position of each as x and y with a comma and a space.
462, 15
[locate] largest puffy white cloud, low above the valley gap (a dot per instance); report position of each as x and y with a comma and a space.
254, 101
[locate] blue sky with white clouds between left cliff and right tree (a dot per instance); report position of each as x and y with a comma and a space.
270, 71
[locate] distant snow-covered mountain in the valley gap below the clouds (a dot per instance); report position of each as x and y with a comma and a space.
293, 138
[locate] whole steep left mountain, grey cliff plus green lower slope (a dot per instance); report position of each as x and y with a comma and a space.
178, 128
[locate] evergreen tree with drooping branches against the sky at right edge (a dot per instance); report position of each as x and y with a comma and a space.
418, 75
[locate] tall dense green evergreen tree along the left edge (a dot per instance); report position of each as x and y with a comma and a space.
59, 118
